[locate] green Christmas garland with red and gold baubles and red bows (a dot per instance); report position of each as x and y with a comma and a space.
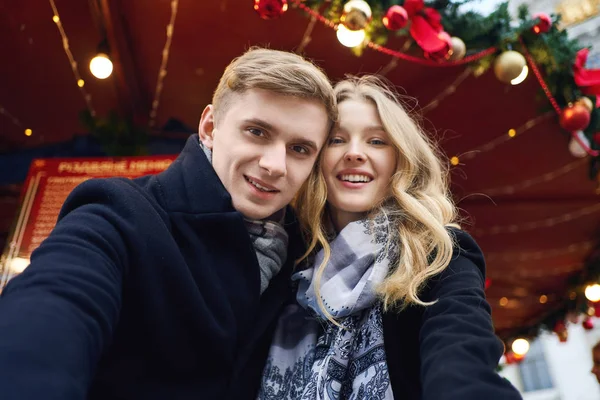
439, 34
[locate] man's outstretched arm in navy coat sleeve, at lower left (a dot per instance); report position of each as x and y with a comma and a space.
58, 316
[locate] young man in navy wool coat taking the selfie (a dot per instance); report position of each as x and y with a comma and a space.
166, 287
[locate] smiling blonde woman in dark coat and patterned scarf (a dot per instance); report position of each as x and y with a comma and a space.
393, 306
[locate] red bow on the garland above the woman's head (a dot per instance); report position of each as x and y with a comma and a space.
426, 26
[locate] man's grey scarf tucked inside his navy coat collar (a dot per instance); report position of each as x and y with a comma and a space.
269, 238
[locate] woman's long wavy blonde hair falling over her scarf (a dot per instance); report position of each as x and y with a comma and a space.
419, 198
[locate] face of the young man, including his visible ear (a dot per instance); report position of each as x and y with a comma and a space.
264, 146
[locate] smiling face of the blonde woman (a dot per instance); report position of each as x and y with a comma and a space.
358, 162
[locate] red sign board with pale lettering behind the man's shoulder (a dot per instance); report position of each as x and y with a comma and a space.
48, 184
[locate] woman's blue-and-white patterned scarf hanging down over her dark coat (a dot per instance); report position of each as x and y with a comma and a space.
313, 359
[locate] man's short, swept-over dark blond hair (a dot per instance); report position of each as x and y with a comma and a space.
276, 71
